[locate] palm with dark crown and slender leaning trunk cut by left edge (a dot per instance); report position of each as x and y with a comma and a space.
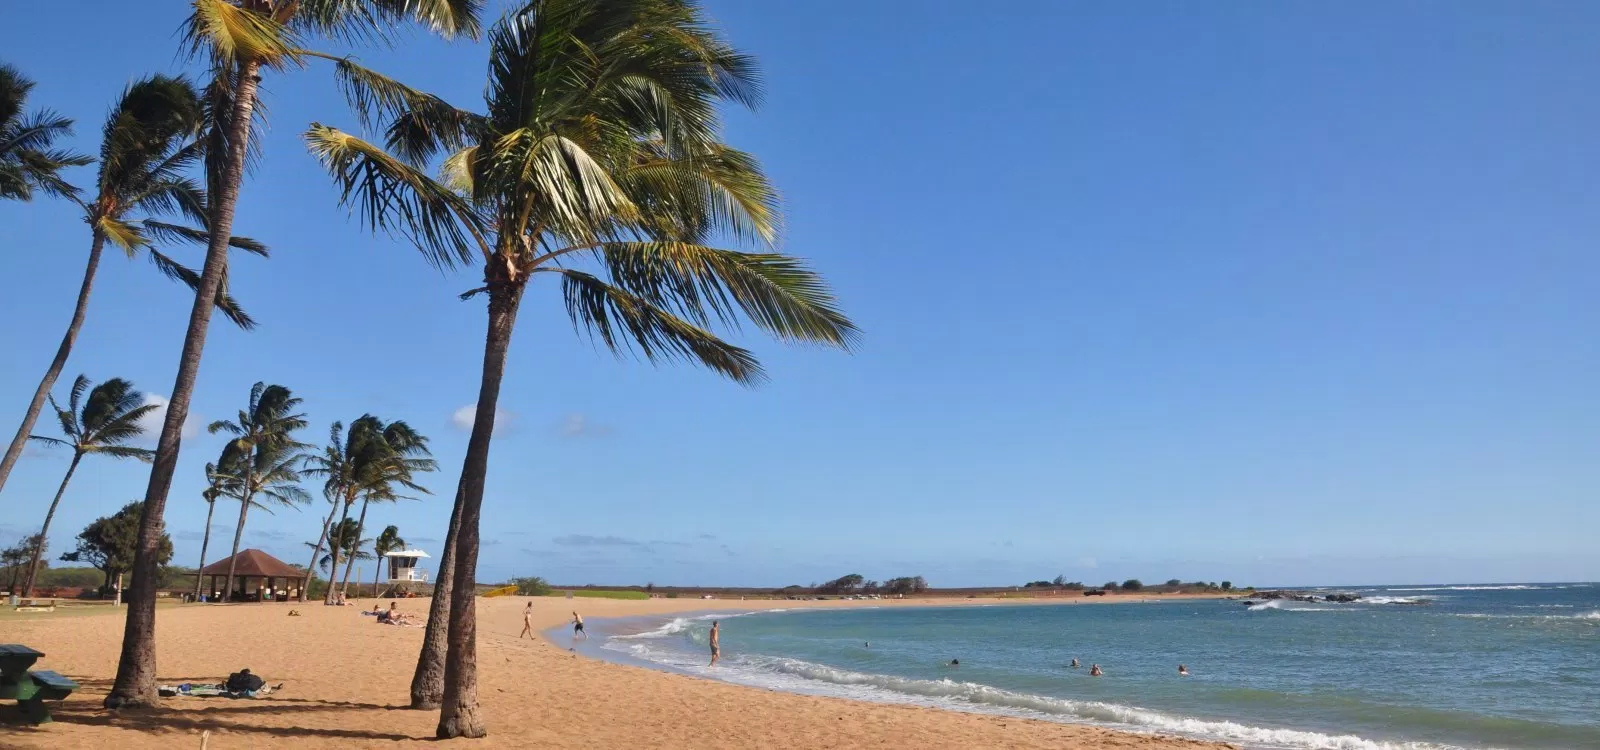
150, 142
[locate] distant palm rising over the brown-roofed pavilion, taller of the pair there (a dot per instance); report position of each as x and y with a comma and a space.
271, 458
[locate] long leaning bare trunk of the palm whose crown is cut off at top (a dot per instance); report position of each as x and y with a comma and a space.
135, 684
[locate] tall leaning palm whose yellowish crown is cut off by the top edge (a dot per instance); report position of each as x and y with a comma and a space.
239, 39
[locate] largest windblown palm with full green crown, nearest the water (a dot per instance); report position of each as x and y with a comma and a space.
601, 140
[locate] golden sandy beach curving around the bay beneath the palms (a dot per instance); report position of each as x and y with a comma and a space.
346, 679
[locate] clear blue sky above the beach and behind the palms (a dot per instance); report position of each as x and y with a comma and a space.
1276, 293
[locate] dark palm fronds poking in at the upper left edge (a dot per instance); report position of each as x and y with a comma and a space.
26, 158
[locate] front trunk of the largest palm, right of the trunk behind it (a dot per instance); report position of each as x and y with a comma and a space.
460, 712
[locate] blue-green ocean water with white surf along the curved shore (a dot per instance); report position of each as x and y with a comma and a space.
1412, 668
